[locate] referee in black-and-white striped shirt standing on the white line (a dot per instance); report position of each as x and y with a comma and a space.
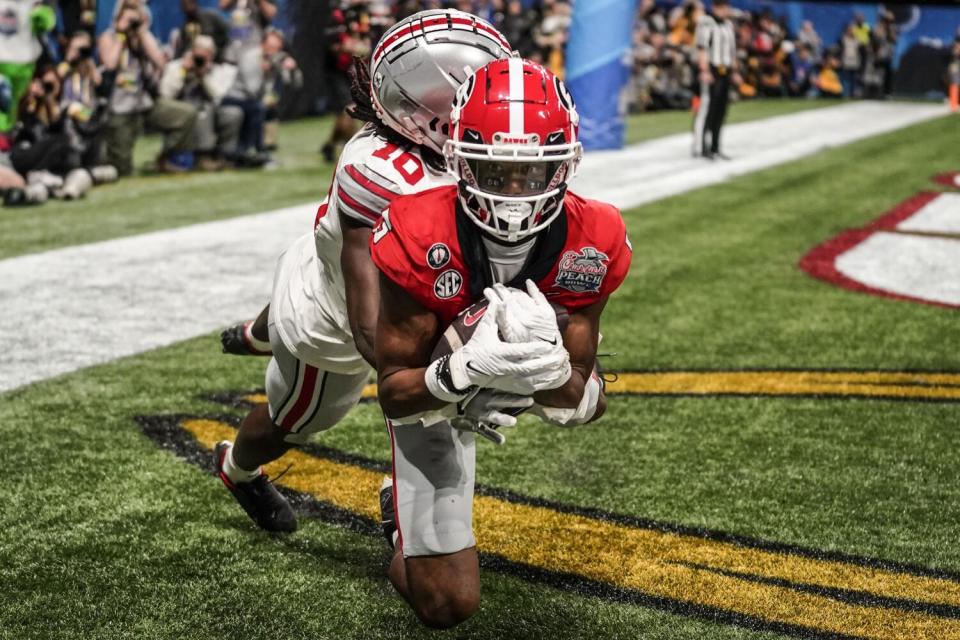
717, 61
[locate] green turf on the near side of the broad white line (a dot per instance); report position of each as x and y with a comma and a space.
104, 535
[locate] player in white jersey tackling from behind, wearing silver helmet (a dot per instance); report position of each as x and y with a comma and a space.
323, 312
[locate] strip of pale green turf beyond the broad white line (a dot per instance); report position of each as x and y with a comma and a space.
148, 202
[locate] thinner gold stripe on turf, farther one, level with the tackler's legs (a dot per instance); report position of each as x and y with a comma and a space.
871, 384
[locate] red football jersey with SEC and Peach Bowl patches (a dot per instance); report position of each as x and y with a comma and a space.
435, 253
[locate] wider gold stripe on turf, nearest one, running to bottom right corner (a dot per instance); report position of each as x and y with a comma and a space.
653, 562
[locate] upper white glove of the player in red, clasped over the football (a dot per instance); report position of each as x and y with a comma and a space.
524, 316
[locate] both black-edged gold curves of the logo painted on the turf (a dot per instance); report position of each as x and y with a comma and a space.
725, 578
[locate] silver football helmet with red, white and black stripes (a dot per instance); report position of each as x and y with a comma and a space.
418, 65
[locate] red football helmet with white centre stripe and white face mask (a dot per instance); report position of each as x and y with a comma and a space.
513, 147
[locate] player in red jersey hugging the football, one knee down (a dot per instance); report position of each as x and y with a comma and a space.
509, 222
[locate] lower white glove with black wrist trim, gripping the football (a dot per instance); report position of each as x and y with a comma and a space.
486, 361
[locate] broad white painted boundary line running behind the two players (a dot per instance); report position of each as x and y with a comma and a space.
71, 308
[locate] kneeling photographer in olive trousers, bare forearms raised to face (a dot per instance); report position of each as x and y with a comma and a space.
132, 55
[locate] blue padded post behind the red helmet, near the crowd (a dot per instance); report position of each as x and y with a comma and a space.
598, 67
